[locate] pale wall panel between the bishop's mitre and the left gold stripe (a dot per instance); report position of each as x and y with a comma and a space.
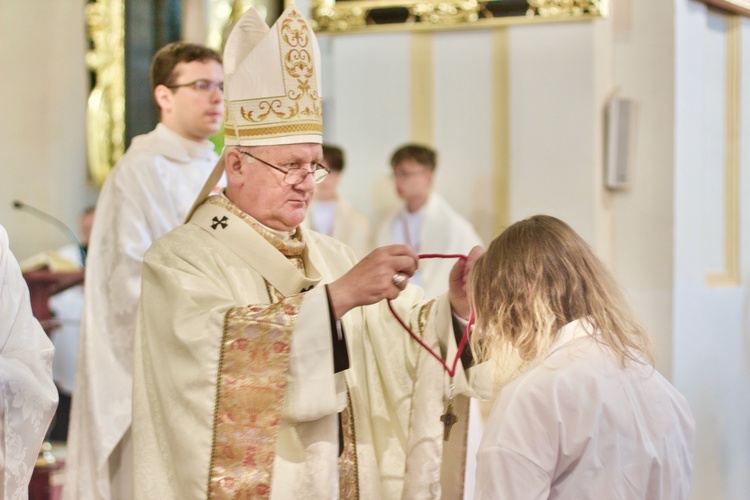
366, 112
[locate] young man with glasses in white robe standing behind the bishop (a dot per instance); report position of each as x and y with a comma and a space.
148, 192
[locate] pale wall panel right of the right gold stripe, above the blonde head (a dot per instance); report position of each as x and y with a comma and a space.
553, 124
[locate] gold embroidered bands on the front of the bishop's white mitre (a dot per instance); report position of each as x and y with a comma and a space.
299, 108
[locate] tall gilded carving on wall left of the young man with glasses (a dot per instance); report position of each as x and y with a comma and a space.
105, 114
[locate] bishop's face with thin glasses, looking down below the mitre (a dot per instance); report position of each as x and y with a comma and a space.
261, 191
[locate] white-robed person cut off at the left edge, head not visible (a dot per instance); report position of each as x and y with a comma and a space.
27, 393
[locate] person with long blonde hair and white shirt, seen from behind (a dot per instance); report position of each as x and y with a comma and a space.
581, 412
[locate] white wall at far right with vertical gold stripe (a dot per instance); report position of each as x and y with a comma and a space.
712, 322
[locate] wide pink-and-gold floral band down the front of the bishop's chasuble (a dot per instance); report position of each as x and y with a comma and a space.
248, 407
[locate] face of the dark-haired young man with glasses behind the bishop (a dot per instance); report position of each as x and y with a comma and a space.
191, 112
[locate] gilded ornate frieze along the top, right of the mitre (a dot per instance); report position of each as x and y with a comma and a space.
339, 16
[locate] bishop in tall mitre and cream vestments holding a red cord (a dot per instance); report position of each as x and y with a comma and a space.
266, 363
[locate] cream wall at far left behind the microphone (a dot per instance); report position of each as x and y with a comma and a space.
43, 90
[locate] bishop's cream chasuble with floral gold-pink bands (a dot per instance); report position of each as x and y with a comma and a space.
234, 388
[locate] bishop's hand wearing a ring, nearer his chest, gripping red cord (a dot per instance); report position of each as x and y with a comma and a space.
382, 274
